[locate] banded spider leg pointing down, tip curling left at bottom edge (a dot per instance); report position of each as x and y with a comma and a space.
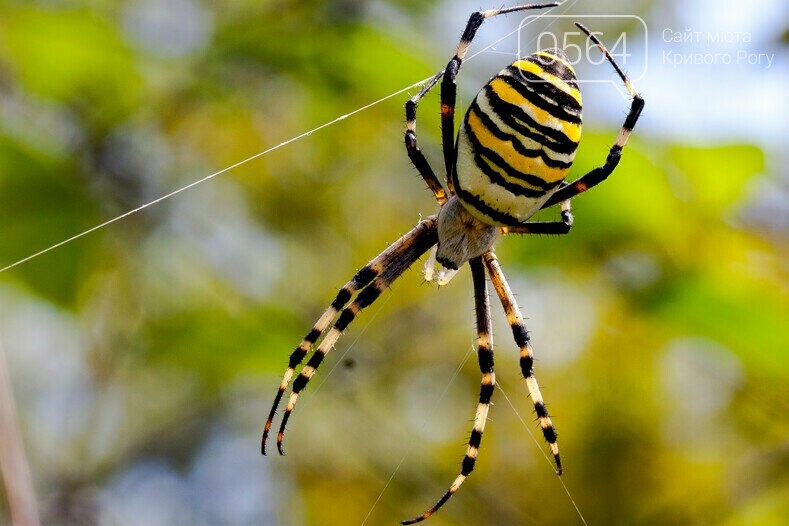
485, 357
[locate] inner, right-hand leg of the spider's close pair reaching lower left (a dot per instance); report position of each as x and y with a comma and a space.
409, 248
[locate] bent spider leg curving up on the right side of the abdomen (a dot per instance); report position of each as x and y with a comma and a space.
599, 174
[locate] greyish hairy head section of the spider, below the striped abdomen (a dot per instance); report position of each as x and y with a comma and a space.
461, 236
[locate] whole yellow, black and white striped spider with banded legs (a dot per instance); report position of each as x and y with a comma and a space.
508, 160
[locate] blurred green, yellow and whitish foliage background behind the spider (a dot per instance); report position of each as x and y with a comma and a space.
144, 357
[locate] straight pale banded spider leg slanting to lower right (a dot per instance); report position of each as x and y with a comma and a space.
521, 335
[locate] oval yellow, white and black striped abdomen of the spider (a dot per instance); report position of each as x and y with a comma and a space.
518, 139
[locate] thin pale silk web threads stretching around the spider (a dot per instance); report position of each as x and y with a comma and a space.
490, 48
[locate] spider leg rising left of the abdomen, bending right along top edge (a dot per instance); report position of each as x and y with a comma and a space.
449, 85
